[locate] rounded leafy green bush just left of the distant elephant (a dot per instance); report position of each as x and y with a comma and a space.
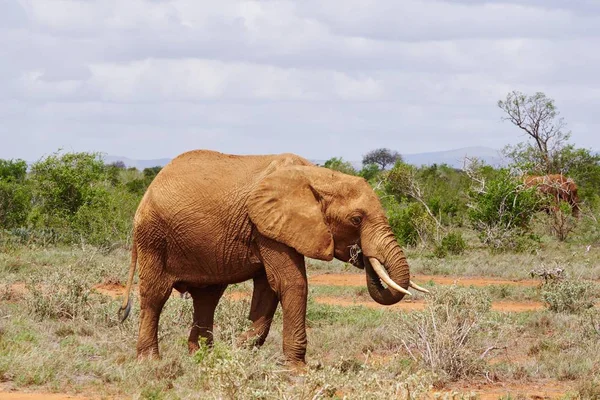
501, 211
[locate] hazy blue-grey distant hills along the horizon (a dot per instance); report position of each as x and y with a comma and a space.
452, 158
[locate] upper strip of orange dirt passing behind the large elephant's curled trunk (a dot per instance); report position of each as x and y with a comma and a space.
360, 280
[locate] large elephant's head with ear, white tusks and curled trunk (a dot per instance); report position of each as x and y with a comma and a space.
324, 214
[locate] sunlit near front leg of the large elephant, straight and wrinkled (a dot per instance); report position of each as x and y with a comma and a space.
286, 274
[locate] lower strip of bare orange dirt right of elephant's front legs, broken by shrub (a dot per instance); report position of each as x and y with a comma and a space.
416, 305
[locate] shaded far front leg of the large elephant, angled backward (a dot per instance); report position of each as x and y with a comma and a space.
264, 305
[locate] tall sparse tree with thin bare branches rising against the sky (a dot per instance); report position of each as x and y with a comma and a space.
538, 117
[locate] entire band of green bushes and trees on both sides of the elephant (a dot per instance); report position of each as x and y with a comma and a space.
77, 198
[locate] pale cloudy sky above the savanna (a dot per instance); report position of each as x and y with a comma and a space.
152, 79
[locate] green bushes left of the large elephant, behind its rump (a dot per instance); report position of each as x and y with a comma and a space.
69, 198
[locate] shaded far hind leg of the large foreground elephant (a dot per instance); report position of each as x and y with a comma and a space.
205, 301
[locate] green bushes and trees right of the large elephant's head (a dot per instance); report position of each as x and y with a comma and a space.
434, 206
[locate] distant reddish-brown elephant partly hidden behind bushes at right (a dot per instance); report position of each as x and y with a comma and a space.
558, 187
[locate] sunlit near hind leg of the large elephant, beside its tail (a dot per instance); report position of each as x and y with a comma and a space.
154, 294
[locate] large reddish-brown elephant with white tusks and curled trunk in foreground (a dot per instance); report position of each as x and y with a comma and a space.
210, 219
